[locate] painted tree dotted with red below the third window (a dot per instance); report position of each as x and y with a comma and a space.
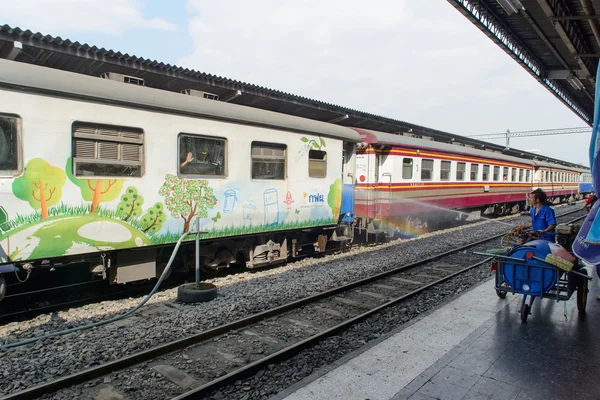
187, 198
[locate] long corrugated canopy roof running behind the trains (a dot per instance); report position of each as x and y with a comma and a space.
55, 52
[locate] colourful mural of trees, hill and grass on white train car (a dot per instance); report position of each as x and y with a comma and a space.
40, 221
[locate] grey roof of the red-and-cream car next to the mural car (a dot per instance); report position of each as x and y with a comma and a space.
373, 137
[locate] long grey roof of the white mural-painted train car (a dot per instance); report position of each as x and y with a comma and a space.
28, 77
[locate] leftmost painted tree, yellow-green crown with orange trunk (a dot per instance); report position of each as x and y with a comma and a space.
41, 185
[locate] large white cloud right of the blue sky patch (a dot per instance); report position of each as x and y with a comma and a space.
417, 61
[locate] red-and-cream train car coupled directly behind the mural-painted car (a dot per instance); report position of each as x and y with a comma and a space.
405, 183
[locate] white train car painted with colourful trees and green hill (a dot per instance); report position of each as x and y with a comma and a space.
107, 172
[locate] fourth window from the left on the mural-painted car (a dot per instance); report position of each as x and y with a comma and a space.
268, 160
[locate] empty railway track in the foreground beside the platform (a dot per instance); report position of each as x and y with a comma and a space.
278, 334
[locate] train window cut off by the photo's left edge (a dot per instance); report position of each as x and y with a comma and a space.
10, 129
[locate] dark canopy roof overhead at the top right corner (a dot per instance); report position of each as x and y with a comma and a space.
556, 41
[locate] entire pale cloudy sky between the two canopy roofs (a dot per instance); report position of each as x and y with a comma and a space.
417, 61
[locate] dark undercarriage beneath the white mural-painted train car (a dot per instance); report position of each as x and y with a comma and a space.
140, 265
